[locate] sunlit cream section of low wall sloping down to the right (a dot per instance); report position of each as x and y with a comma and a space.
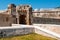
45, 32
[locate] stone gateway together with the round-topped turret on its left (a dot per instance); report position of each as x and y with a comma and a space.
21, 14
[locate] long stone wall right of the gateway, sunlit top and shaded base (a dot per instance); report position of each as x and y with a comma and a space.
46, 16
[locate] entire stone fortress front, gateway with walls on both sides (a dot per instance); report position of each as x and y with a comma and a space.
23, 14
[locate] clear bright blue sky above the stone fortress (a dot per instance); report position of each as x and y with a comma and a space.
34, 3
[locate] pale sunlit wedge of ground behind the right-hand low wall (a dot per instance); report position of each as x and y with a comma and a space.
51, 27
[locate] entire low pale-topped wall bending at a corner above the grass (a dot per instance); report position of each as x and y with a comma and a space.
26, 29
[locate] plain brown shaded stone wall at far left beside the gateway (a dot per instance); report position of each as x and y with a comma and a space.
5, 20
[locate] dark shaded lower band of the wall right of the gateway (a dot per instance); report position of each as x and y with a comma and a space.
37, 20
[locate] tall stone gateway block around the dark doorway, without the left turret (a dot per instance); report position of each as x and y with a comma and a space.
25, 14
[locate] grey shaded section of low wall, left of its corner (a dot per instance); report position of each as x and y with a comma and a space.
16, 31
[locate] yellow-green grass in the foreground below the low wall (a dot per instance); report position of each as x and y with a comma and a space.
32, 36
